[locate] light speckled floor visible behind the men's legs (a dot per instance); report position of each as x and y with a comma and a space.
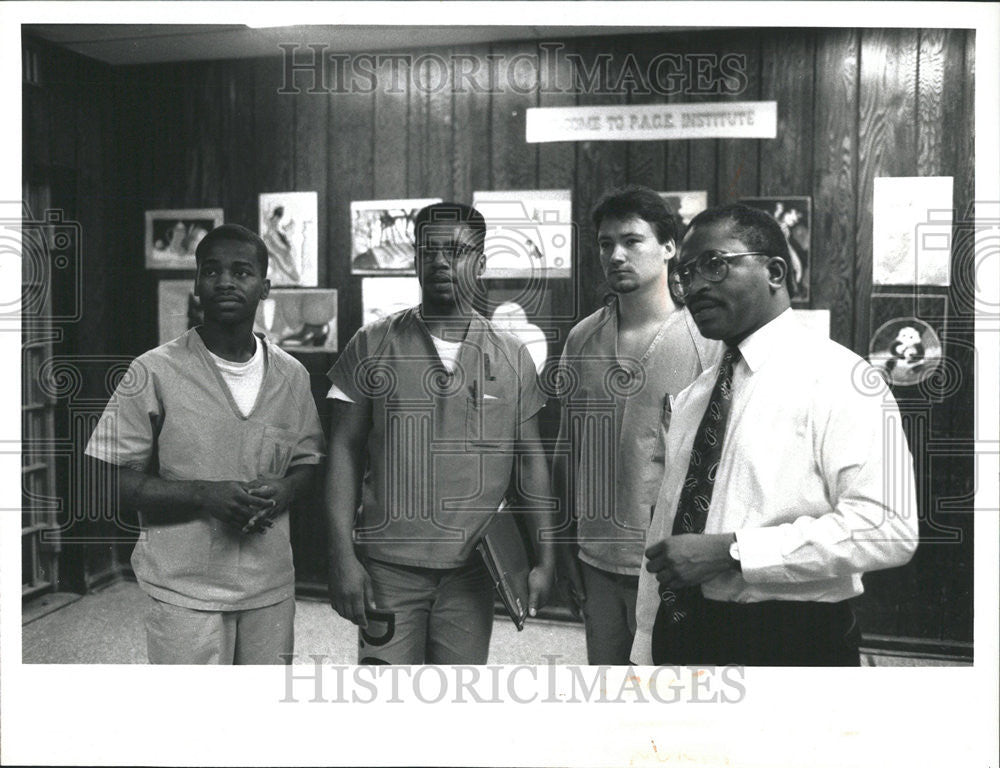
106, 627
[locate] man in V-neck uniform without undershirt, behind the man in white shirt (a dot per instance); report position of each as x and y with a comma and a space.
622, 364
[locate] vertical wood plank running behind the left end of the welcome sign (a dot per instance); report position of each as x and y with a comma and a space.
513, 161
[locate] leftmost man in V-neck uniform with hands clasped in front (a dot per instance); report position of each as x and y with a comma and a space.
215, 435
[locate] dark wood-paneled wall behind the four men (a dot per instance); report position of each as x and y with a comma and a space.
852, 105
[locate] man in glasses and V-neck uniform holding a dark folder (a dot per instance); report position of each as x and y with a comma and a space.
435, 410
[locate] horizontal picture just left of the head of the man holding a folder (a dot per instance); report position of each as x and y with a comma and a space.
383, 237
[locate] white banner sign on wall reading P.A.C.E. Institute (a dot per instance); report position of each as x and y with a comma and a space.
654, 122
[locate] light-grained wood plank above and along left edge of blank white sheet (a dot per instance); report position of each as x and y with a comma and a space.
886, 143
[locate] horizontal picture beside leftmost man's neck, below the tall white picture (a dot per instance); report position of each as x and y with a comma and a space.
299, 320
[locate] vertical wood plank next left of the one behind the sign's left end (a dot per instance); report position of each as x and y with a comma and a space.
471, 140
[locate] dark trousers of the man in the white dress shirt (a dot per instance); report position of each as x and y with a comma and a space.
772, 633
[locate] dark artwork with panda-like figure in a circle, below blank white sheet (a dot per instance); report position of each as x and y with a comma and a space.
906, 338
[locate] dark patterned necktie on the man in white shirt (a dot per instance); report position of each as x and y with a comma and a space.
696, 493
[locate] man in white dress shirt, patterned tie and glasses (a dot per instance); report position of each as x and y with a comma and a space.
788, 474
